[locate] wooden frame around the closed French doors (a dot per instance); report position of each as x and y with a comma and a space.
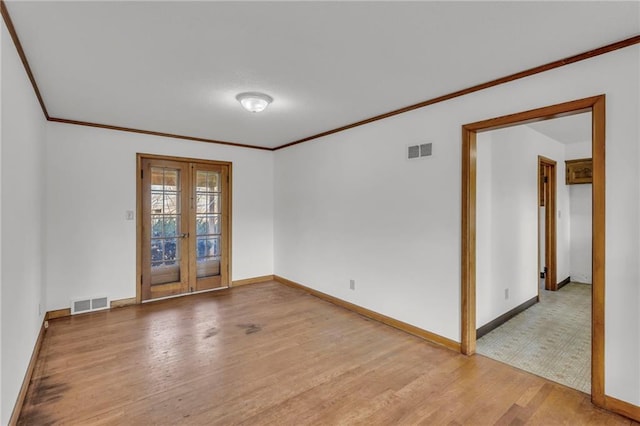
227, 245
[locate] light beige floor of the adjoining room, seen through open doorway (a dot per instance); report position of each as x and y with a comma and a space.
551, 339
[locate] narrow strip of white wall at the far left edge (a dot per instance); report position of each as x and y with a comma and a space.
23, 191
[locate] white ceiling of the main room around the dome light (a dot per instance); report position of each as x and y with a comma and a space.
176, 67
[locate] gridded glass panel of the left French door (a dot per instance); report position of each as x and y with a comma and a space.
166, 246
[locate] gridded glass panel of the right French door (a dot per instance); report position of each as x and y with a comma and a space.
208, 204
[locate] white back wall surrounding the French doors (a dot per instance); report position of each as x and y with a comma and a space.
91, 178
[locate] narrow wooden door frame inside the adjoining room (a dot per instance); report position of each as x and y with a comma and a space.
550, 236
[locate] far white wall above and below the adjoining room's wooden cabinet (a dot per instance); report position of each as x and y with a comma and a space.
581, 223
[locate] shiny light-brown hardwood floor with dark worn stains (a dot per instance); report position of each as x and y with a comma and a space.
270, 354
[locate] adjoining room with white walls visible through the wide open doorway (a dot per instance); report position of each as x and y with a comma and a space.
534, 271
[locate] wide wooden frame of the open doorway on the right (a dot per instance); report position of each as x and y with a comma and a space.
595, 105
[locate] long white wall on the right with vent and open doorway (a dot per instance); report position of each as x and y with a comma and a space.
349, 206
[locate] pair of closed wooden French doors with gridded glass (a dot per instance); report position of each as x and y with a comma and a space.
184, 223
